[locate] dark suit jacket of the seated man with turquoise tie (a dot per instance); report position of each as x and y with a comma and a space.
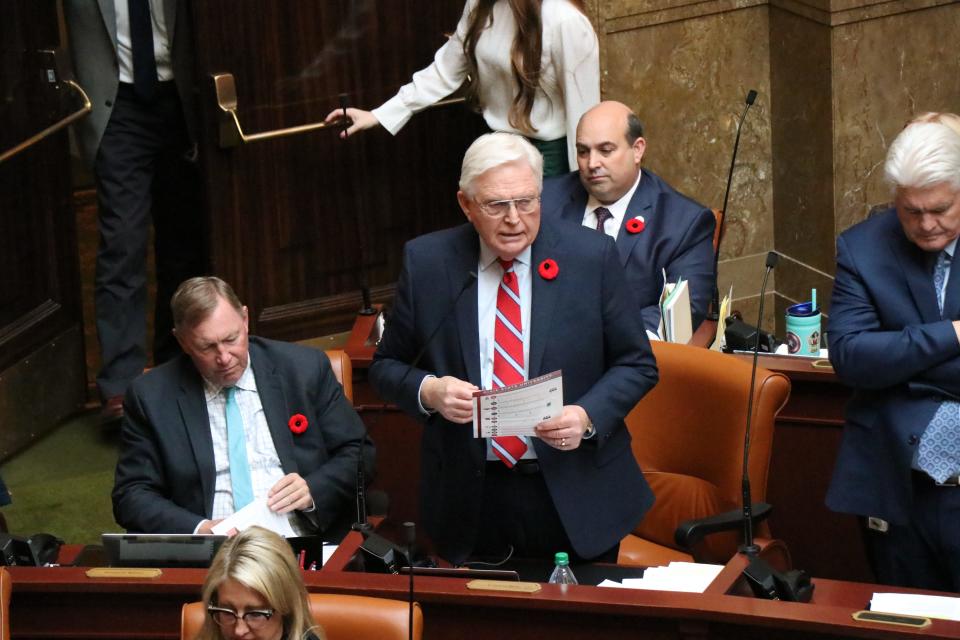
165, 474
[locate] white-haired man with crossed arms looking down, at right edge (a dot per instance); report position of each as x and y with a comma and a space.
895, 337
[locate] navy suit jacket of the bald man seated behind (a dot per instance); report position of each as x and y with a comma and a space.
678, 237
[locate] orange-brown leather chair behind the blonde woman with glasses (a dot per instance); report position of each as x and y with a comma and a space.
342, 617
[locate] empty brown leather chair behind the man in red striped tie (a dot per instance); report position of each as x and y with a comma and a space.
688, 438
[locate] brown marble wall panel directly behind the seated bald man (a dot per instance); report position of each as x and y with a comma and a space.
687, 79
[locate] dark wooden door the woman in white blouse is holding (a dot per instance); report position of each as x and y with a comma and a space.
297, 224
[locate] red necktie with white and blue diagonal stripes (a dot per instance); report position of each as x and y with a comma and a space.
508, 355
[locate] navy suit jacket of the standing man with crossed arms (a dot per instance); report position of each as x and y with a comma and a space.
888, 341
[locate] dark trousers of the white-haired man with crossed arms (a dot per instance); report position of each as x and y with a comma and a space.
925, 553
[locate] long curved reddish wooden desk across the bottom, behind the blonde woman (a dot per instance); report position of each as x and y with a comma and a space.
63, 603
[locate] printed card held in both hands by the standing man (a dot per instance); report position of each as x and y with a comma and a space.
517, 409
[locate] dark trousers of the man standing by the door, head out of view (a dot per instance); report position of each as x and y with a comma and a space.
145, 172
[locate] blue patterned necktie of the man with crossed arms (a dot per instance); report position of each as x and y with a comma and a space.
939, 454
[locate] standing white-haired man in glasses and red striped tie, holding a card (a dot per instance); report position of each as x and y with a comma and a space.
493, 303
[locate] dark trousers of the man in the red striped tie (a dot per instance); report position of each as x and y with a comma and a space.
518, 511
